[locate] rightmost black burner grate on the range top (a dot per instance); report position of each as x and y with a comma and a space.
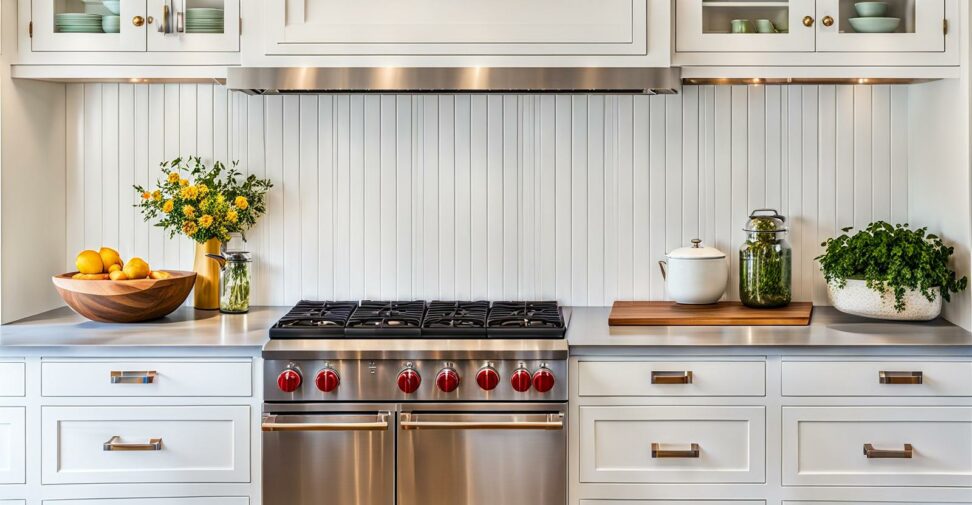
519, 319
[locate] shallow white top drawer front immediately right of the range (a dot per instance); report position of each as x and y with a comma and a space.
635, 378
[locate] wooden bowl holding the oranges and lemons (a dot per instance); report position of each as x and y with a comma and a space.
125, 301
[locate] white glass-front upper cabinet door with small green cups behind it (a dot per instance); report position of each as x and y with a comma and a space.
745, 26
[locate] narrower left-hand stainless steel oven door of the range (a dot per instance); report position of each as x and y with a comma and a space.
344, 456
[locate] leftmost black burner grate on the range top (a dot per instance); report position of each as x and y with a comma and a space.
309, 319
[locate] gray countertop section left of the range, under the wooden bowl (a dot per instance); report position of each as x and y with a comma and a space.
186, 327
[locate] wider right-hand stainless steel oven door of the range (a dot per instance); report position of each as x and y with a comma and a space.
479, 455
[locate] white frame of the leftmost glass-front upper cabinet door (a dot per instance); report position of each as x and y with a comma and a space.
48, 37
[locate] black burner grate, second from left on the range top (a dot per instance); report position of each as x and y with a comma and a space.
386, 319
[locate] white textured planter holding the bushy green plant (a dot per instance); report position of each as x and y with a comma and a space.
858, 299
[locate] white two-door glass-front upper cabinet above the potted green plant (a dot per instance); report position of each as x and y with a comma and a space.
828, 32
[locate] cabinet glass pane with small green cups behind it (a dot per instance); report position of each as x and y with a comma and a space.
756, 16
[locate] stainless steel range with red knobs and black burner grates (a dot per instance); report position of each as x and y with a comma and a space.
416, 403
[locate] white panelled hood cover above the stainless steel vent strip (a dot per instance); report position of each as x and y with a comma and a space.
461, 27
